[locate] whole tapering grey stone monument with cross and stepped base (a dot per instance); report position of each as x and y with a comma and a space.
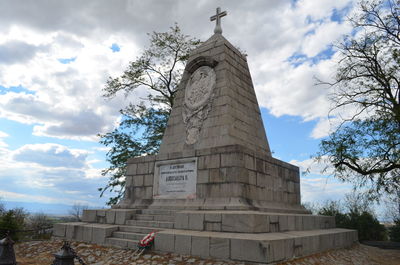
214, 190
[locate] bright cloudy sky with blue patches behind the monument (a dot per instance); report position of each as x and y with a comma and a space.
55, 57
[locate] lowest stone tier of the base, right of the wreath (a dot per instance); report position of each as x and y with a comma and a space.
250, 248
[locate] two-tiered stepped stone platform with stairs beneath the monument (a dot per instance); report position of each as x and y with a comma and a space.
245, 236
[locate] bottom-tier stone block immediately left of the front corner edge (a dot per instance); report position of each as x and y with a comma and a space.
247, 250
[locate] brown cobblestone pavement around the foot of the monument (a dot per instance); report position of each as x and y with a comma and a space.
41, 253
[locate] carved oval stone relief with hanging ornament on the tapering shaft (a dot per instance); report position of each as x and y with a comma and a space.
198, 98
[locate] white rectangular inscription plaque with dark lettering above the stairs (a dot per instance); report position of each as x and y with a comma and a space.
175, 179
